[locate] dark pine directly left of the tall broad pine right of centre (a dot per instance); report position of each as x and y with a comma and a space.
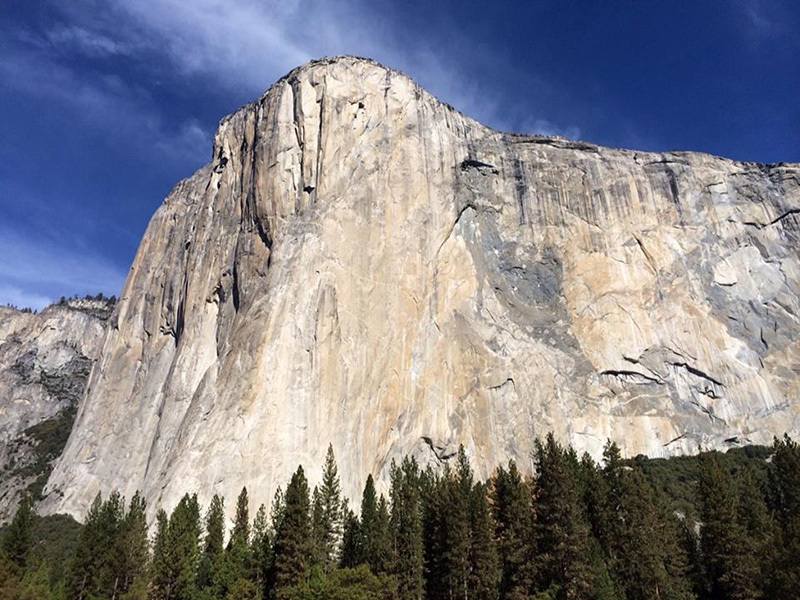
511, 504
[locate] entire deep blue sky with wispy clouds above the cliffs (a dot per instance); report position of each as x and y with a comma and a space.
105, 105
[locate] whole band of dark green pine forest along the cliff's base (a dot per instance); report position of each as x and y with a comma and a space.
709, 527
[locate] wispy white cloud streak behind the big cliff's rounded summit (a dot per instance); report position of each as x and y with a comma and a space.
246, 45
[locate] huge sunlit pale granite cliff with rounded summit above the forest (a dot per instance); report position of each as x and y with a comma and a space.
361, 264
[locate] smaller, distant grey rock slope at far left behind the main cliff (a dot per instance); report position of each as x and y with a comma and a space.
45, 359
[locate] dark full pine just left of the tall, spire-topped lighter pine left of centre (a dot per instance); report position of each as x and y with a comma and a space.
293, 543
